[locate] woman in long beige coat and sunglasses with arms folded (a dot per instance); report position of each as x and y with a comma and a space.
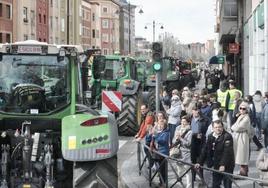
241, 135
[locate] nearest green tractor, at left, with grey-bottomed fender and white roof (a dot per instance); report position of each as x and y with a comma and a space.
49, 137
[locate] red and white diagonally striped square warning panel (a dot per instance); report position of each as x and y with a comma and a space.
111, 101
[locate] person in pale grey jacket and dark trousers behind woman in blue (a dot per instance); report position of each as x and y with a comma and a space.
174, 113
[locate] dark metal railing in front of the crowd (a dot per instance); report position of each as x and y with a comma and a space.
171, 162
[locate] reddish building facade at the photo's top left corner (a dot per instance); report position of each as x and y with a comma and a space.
6, 21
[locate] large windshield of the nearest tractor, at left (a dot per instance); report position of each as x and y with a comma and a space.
33, 84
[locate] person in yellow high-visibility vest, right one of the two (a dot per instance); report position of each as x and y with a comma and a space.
230, 101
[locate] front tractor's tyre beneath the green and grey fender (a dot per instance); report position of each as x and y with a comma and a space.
96, 174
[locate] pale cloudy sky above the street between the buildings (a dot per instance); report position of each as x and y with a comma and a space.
188, 20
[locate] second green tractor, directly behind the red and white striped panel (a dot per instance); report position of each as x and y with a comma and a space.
118, 73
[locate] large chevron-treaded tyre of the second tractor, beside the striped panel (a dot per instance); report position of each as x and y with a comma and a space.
129, 117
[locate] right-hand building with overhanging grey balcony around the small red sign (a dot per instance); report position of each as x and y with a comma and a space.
229, 27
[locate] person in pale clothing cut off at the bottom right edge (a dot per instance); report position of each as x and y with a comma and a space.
262, 165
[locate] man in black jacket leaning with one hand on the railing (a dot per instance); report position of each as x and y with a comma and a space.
218, 152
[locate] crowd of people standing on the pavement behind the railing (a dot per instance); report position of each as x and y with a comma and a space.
208, 129
